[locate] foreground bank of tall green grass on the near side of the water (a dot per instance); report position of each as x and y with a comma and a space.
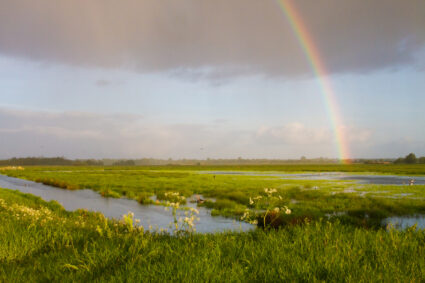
40, 241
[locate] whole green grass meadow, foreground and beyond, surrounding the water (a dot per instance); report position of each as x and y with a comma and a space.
40, 241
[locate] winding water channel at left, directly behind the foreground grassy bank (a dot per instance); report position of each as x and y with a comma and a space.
149, 215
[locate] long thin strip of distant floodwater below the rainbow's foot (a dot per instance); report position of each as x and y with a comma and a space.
364, 179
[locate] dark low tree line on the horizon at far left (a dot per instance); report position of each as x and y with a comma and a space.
49, 161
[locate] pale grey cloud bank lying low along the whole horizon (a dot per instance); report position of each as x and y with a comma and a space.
88, 135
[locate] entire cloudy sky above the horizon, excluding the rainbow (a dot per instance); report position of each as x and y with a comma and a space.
209, 79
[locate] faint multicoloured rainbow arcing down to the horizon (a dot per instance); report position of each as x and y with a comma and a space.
313, 57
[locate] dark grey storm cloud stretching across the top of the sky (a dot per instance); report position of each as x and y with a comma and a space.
243, 36
